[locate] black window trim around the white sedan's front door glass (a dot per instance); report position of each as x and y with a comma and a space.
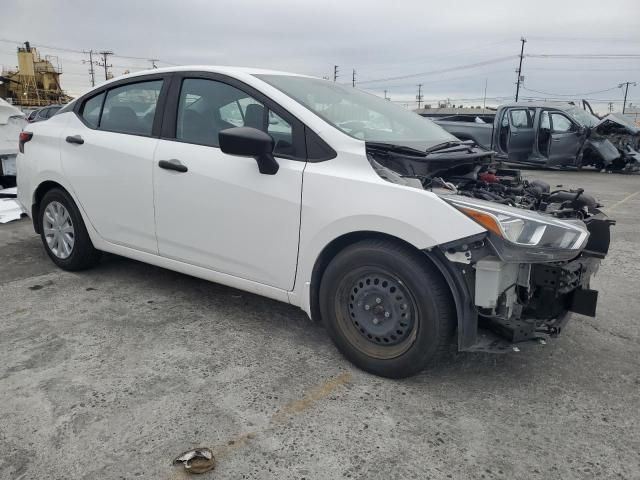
169, 123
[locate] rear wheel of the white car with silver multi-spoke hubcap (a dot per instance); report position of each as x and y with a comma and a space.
63, 232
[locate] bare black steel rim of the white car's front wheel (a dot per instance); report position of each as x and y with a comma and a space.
378, 313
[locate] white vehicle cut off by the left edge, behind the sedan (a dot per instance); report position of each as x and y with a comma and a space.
12, 122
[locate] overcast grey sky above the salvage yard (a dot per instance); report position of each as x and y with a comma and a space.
381, 40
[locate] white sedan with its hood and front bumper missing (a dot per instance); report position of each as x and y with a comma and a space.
395, 234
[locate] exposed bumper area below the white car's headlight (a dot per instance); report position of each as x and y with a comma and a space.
505, 302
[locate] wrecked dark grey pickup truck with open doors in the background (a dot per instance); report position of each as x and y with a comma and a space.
555, 135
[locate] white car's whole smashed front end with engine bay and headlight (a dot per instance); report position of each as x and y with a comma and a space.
521, 279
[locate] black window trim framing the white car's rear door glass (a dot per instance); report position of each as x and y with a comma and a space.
160, 105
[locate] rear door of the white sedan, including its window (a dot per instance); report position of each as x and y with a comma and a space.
107, 155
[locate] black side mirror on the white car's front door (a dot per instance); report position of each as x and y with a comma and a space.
250, 142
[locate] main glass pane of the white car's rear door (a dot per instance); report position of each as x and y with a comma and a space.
131, 108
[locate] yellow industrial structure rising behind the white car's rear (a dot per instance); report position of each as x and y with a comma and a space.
35, 83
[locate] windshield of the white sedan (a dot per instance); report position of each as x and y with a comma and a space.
359, 114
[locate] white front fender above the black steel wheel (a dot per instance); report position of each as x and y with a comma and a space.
344, 196
